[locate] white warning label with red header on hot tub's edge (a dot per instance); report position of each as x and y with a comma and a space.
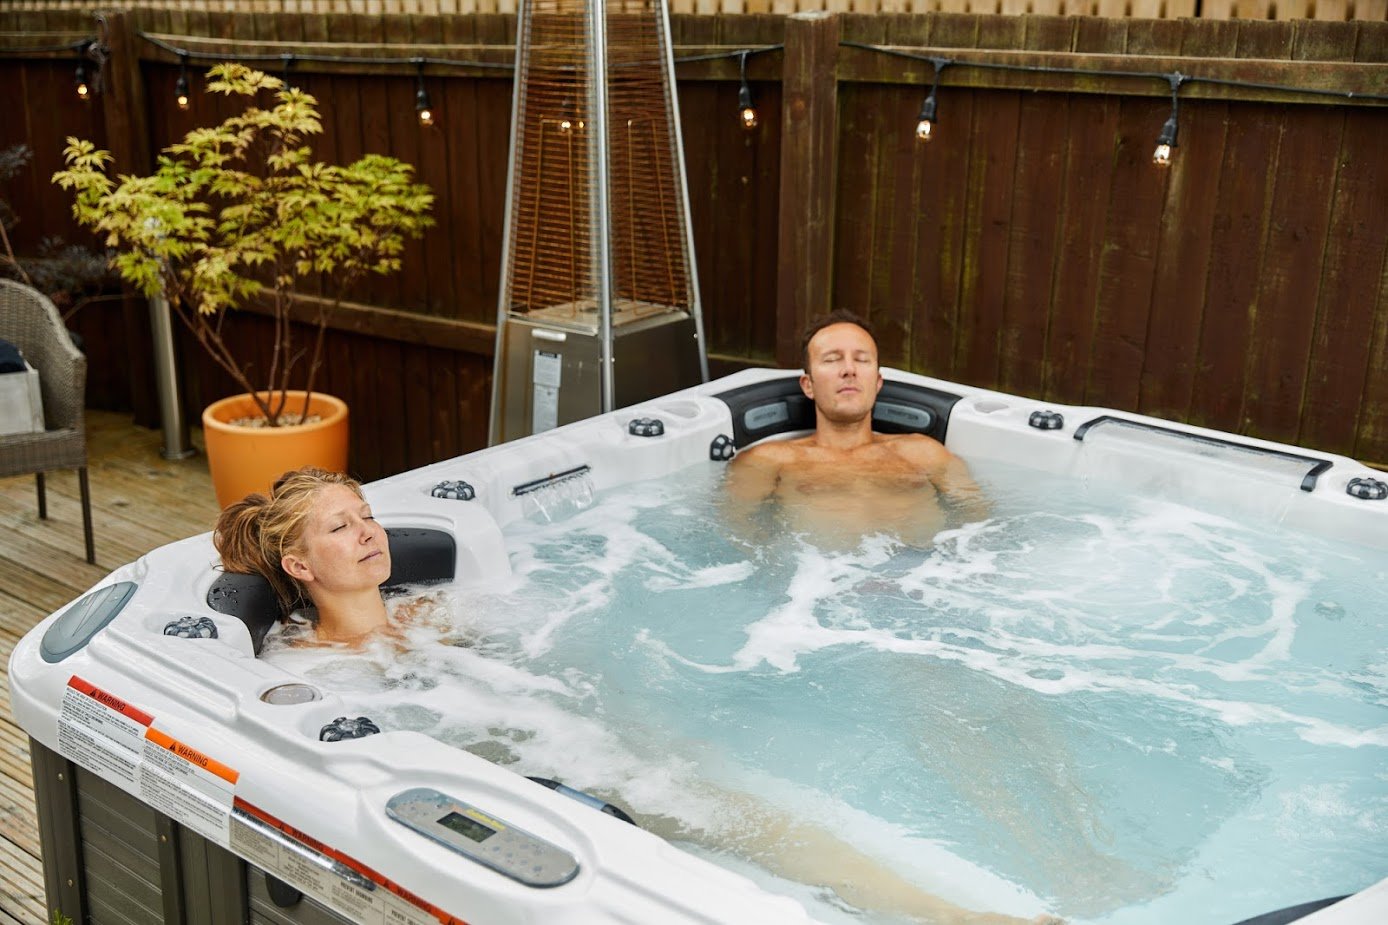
102, 733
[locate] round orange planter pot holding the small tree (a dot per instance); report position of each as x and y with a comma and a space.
246, 460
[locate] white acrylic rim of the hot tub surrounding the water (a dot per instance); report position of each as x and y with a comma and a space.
180, 724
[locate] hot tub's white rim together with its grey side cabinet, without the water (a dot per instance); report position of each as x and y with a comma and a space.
167, 781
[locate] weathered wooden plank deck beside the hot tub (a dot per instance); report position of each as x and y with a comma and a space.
139, 502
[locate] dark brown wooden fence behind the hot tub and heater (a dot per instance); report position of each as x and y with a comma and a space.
1032, 247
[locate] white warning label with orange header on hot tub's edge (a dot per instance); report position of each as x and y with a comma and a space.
188, 787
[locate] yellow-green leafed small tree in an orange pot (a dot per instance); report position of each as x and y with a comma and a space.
242, 212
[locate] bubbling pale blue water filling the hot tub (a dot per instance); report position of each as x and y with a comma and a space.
1118, 709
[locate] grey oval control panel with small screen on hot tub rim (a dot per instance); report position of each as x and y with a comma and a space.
482, 838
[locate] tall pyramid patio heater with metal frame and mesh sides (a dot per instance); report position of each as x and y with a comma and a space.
599, 303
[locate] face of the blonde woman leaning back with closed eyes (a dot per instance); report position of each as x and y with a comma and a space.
344, 548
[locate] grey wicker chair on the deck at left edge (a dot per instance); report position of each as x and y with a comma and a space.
31, 323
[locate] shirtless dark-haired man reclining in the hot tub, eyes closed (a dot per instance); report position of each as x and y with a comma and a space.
845, 480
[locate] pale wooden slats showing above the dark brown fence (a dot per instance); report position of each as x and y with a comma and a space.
1329, 10
